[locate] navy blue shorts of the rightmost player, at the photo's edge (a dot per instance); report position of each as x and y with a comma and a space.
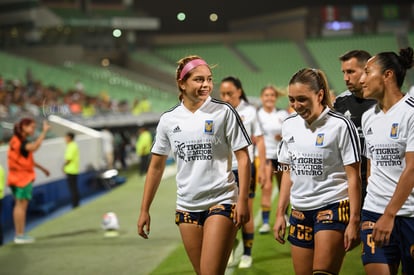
400, 247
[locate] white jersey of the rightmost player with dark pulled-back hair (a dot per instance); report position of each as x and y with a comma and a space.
388, 136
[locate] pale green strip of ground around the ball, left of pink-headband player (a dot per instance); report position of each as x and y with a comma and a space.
74, 243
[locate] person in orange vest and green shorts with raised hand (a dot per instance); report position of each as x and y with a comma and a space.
21, 174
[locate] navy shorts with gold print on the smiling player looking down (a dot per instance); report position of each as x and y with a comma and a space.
304, 224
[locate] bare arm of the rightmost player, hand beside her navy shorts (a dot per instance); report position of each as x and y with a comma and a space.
383, 227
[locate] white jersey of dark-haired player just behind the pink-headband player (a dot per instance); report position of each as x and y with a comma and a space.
248, 115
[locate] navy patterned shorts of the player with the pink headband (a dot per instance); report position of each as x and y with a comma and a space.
199, 218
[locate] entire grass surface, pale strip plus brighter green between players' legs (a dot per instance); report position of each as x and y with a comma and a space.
74, 243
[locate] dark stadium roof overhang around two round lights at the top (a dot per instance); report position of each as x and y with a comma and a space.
197, 14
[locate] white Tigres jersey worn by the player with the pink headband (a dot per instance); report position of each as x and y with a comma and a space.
202, 143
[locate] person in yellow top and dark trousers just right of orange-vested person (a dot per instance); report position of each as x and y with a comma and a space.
71, 167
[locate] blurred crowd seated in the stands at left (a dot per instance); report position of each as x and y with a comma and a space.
33, 98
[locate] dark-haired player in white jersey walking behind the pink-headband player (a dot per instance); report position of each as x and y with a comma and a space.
231, 91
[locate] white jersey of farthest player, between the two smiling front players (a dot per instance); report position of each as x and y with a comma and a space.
272, 126
